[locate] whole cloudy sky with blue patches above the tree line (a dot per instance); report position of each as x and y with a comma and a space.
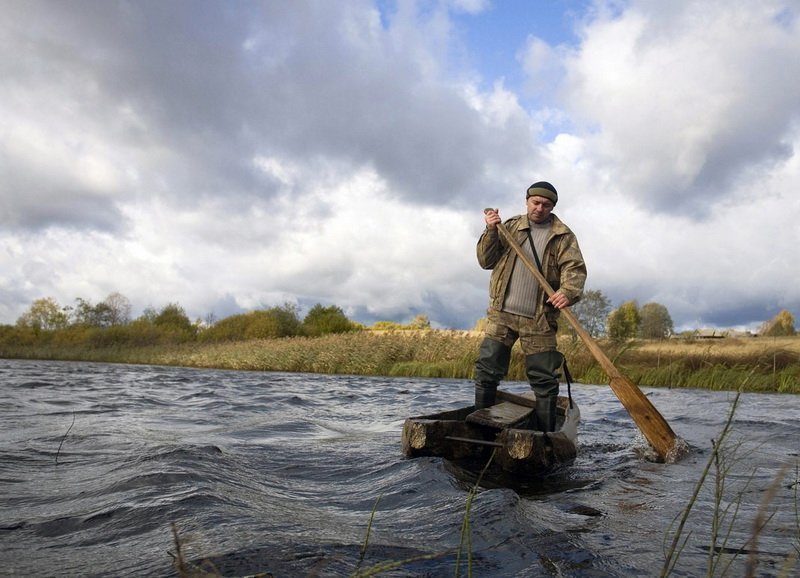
229, 156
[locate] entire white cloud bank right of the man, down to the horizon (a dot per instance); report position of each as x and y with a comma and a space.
684, 153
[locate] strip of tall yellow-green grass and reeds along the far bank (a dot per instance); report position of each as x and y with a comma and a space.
761, 364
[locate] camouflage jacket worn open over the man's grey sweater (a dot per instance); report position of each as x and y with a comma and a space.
562, 263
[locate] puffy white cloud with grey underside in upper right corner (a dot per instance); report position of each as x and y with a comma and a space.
681, 100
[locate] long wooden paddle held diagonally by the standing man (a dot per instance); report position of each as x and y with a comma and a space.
651, 423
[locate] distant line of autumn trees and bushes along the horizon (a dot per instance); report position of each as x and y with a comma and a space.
109, 323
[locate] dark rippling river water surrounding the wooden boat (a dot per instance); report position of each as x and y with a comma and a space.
281, 473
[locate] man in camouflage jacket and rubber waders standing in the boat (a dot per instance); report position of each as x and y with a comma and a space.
519, 308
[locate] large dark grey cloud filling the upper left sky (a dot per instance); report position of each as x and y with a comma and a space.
188, 93
